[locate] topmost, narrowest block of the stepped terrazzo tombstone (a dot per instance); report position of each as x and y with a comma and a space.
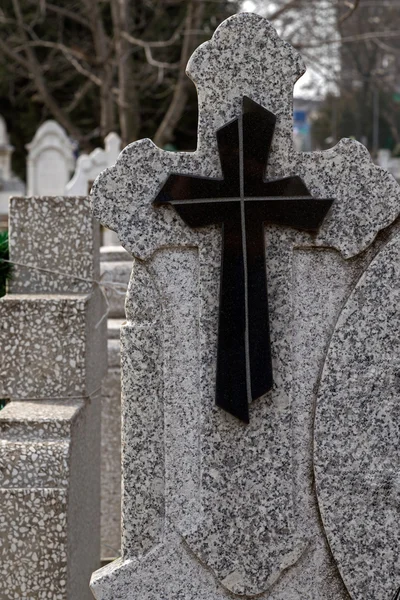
56, 233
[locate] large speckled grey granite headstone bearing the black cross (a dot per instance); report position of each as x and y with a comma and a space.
260, 423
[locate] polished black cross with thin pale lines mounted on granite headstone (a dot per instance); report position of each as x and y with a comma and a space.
241, 202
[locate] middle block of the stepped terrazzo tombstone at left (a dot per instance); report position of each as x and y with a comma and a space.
50, 345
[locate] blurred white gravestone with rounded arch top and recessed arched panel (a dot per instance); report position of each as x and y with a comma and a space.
50, 161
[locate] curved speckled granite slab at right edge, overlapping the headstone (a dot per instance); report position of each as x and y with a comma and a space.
357, 462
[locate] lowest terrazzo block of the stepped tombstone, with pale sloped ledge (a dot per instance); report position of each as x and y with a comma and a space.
49, 499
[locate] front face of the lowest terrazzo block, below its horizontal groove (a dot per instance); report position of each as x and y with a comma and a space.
34, 546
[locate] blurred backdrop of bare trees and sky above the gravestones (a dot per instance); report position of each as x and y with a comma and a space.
101, 66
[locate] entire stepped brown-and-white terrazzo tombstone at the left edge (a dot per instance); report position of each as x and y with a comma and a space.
52, 362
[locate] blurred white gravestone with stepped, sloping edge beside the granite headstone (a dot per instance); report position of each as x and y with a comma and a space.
88, 167
